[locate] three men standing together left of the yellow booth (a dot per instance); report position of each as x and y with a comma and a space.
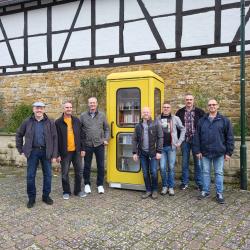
66, 141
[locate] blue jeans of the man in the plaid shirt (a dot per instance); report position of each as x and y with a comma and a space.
186, 147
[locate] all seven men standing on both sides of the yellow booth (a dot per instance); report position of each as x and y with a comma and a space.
67, 140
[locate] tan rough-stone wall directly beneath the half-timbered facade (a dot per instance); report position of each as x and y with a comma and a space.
214, 77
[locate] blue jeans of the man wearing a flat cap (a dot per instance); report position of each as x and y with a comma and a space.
32, 162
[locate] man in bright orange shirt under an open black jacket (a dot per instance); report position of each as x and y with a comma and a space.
70, 149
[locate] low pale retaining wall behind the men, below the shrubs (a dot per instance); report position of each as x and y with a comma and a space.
10, 157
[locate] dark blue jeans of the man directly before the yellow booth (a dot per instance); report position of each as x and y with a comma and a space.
149, 169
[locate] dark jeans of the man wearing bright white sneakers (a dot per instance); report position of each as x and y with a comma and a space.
99, 155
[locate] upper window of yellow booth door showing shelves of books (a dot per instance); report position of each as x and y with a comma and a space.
128, 107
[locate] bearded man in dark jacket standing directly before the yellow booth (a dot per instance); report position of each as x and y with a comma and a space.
147, 145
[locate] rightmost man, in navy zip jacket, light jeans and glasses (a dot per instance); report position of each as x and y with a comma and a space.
213, 144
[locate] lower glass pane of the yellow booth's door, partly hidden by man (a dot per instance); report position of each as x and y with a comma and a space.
125, 160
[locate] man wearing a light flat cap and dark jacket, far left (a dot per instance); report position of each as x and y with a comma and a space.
40, 144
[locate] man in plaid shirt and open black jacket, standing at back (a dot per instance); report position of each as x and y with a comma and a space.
190, 116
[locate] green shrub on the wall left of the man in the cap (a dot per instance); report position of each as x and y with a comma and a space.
20, 112
